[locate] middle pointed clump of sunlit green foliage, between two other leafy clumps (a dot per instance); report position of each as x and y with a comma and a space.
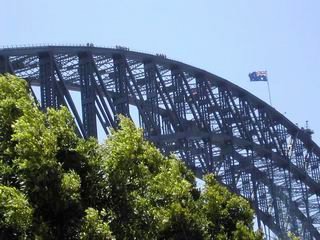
144, 188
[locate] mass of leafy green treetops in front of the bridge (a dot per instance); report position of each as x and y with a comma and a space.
54, 185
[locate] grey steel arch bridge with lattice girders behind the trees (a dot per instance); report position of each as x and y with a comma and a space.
210, 123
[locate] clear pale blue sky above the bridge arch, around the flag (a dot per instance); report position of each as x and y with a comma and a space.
227, 38
